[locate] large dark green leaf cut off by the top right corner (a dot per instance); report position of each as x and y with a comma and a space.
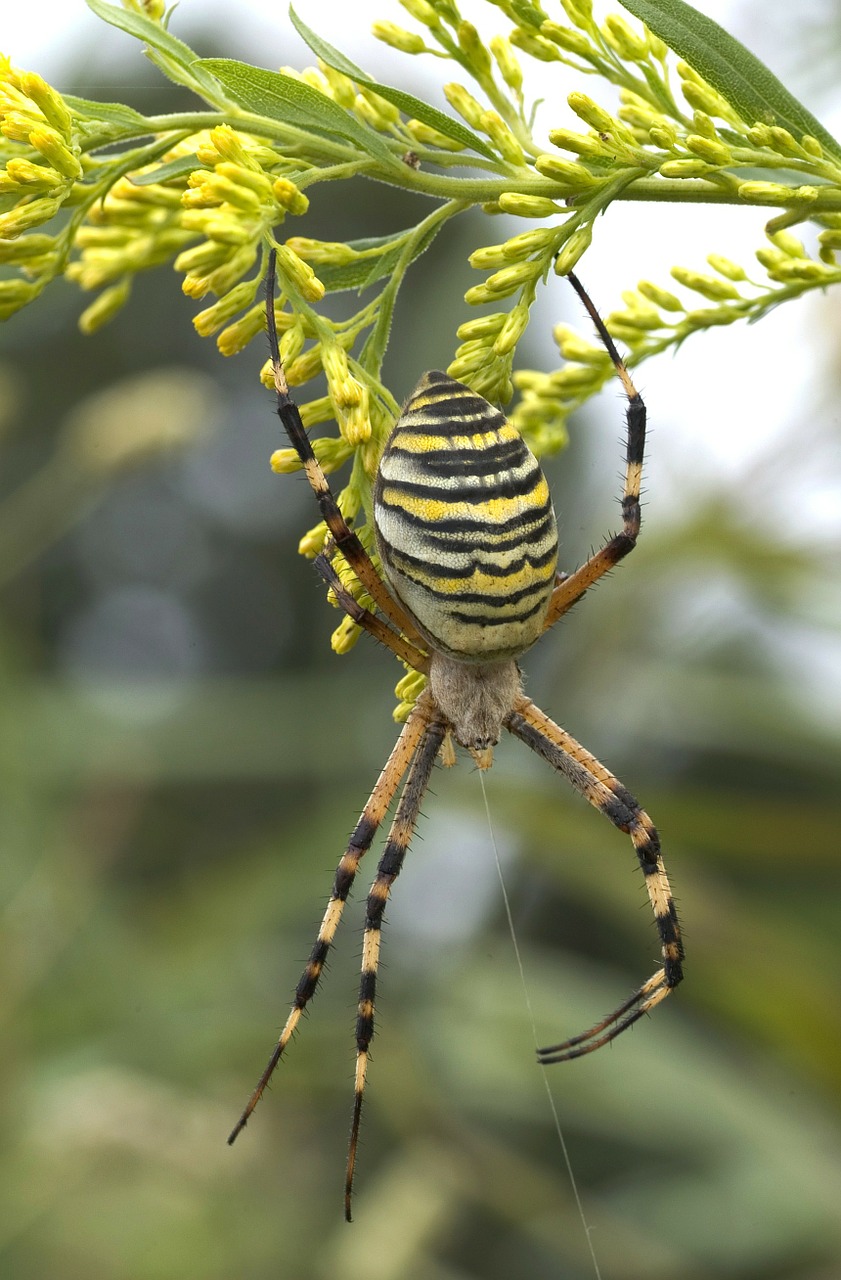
730, 68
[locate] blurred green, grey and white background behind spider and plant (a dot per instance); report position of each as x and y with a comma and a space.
182, 757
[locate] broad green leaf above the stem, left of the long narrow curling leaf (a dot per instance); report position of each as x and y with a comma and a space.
292, 102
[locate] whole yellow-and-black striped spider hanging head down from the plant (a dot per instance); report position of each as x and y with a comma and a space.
468, 541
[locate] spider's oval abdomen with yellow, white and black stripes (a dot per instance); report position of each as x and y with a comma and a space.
465, 527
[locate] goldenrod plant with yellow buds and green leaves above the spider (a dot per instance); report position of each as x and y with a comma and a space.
98, 193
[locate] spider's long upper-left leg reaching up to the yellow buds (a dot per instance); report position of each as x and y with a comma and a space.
345, 538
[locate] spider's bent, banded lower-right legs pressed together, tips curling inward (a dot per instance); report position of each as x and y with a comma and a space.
607, 794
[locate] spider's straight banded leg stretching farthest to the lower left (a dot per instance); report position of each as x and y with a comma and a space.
405, 749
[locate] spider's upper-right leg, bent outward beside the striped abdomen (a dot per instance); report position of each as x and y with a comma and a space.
574, 587
